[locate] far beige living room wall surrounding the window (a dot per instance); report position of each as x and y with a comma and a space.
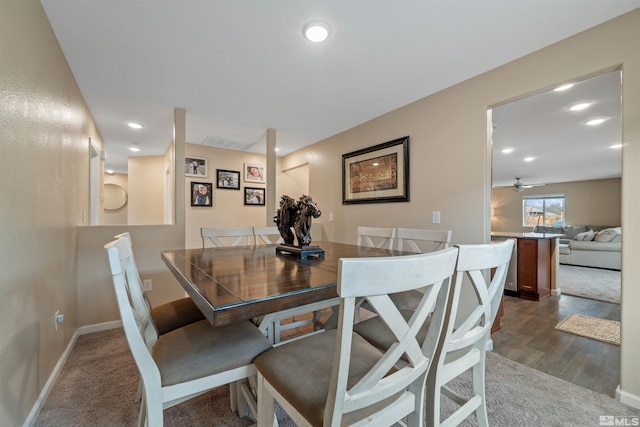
596, 202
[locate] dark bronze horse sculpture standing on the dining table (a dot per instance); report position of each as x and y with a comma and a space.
297, 215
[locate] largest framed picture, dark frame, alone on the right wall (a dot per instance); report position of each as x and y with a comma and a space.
377, 174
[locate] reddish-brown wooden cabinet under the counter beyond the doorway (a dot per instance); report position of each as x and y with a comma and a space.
534, 268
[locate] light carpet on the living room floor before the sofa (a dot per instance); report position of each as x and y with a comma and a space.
593, 283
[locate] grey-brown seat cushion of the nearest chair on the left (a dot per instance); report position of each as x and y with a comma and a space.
199, 349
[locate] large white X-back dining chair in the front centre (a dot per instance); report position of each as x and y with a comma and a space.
336, 377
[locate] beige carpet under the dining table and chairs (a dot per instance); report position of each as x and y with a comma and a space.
97, 384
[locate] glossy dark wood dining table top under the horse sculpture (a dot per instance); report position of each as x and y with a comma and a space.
237, 283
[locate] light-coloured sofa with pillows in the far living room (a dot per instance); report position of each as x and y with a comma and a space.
588, 245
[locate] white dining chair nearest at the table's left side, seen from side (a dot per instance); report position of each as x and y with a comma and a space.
186, 362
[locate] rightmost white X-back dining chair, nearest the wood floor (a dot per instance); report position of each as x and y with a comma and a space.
464, 342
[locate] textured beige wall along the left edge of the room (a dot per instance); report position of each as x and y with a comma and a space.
44, 175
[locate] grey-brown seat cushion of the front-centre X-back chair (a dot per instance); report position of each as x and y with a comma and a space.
301, 372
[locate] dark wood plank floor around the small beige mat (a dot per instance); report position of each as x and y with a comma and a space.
528, 336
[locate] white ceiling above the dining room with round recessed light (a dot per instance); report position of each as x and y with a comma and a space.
239, 67
